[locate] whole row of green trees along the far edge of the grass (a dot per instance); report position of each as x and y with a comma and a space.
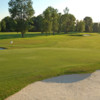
50, 21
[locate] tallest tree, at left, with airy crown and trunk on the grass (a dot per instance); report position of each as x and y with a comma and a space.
22, 11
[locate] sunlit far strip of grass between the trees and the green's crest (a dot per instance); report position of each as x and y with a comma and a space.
35, 40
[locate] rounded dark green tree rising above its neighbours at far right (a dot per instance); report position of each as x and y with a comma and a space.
88, 24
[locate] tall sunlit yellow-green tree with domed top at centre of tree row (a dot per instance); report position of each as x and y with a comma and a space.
50, 22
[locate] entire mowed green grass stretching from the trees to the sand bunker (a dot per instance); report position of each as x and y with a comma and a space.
37, 57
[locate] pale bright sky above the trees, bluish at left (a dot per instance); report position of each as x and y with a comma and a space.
79, 8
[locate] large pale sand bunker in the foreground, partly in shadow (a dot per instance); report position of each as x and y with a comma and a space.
67, 87
